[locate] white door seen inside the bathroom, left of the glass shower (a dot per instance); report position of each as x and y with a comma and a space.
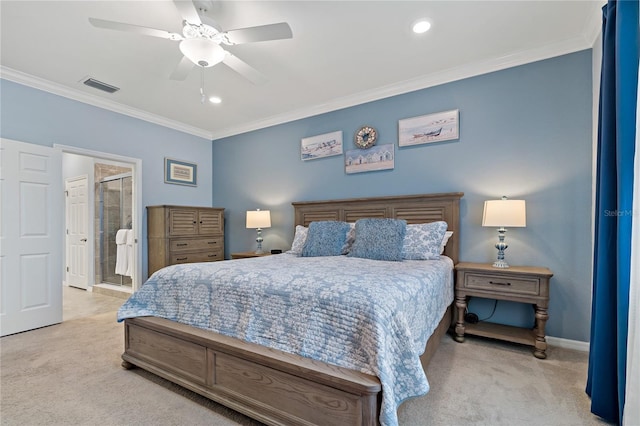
77, 231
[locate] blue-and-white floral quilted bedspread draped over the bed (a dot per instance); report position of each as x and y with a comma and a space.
367, 315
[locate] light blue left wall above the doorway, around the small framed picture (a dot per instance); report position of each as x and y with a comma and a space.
38, 117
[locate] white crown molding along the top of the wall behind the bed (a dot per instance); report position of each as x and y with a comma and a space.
459, 73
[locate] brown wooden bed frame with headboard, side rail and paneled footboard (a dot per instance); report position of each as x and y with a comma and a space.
271, 386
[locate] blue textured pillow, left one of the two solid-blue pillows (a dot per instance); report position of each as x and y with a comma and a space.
325, 239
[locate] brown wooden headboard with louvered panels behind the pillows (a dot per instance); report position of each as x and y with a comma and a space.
412, 208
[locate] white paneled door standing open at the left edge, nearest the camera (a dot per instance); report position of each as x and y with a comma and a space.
30, 236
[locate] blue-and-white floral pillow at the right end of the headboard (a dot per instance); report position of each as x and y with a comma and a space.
423, 241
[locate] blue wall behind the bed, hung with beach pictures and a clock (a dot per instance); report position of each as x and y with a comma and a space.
525, 132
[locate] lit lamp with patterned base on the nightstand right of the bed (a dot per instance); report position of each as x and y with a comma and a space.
503, 213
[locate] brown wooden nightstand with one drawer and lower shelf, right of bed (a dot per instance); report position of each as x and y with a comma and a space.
525, 284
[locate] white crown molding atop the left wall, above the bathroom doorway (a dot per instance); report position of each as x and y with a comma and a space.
76, 95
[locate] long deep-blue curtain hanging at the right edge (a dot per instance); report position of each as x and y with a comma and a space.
613, 209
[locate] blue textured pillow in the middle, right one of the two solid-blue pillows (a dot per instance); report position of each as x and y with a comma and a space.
379, 239
